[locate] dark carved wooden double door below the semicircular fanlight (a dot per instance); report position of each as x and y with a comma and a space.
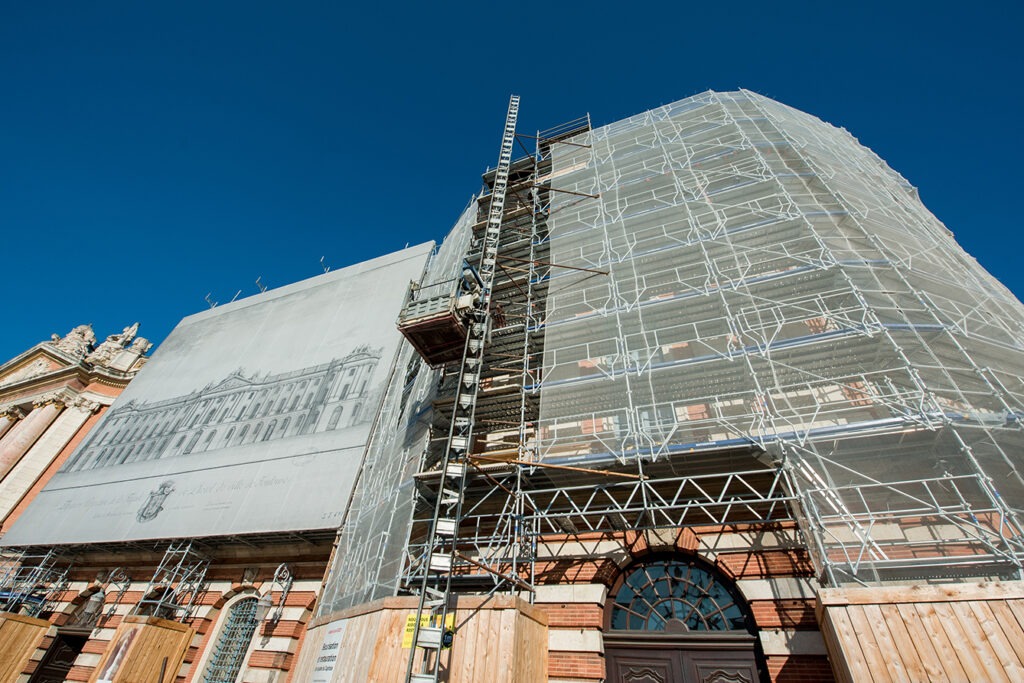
650, 658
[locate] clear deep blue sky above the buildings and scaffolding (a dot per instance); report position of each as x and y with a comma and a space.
154, 152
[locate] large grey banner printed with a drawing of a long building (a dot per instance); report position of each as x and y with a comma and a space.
251, 417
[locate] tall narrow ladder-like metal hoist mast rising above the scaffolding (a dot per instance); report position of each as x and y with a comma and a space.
431, 633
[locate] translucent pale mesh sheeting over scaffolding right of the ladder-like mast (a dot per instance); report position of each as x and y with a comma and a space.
776, 287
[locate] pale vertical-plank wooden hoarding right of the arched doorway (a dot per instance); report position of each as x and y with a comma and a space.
956, 632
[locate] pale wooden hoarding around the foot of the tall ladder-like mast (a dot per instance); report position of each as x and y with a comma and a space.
498, 639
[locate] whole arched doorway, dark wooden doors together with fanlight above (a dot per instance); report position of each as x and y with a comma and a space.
674, 619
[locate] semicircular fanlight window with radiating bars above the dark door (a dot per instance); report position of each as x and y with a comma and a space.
687, 595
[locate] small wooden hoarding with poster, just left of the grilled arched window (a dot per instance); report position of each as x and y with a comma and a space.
139, 650
